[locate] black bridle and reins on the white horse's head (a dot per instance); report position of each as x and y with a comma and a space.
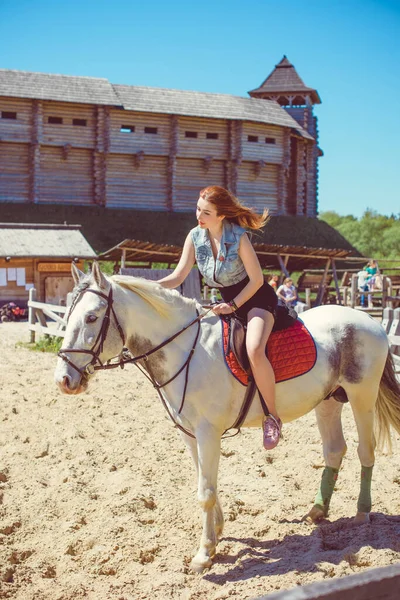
124, 358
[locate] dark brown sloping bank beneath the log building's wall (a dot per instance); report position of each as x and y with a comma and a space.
104, 227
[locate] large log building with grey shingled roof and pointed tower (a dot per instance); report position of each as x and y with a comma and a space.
83, 141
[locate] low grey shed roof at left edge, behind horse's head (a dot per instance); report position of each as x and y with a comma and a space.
39, 240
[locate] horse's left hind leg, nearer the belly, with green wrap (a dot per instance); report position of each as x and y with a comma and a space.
328, 414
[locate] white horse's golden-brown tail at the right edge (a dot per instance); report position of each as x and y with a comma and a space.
388, 405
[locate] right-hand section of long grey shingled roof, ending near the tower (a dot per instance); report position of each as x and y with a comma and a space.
204, 104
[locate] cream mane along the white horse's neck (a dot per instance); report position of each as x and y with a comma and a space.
164, 301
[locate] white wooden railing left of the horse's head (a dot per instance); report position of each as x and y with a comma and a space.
37, 322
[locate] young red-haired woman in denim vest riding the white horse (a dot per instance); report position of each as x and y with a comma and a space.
226, 259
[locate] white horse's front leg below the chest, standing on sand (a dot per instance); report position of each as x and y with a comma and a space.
208, 450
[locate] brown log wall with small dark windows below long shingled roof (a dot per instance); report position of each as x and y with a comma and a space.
67, 153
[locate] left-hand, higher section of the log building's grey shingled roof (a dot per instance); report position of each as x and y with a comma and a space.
64, 88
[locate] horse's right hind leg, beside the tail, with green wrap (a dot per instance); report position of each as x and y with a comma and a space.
363, 405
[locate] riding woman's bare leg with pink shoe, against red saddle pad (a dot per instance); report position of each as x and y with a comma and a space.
259, 327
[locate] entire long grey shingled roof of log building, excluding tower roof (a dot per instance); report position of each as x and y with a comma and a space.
93, 90
